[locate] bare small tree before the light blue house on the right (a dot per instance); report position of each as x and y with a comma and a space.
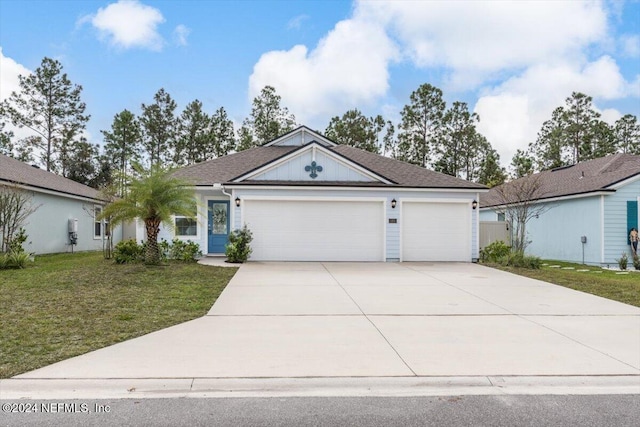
519, 202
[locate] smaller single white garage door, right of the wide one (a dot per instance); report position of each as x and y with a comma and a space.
436, 231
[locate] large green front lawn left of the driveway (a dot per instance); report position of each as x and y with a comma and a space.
69, 304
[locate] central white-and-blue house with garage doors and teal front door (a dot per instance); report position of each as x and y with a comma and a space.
305, 198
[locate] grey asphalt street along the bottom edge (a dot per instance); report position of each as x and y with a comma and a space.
495, 411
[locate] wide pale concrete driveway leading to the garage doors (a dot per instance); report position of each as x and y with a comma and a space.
284, 320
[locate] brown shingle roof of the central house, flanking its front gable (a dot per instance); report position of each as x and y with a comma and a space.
224, 169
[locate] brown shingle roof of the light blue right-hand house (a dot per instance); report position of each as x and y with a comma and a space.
582, 178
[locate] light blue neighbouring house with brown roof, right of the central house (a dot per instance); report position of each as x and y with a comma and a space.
597, 199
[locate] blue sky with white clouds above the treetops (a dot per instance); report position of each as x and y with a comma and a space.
512, 62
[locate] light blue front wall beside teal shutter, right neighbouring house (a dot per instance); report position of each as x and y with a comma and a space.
615, 213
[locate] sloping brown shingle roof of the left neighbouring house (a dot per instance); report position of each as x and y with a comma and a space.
15, 171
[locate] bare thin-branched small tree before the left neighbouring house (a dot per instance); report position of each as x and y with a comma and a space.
15, 207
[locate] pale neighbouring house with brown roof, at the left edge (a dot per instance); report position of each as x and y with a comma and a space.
59, 200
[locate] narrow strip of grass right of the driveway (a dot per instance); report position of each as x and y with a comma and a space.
608, 284
